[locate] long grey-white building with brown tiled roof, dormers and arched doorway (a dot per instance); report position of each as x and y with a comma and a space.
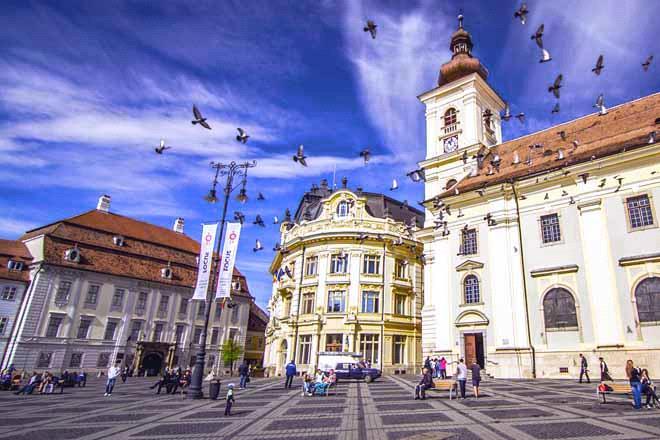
106, 287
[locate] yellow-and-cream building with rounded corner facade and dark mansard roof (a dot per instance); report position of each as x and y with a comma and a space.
347, 277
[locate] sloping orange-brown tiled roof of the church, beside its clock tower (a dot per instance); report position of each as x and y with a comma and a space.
624, 127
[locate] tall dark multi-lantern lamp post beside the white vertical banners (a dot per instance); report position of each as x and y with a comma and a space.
230, 170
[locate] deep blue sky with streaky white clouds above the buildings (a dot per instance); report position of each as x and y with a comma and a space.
88, 88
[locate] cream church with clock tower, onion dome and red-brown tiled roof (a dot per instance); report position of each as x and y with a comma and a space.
551, 241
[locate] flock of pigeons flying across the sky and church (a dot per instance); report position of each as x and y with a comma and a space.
555, 88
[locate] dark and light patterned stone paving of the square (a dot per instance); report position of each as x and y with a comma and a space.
542, 409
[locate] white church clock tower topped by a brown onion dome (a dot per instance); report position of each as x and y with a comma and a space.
455, 122
